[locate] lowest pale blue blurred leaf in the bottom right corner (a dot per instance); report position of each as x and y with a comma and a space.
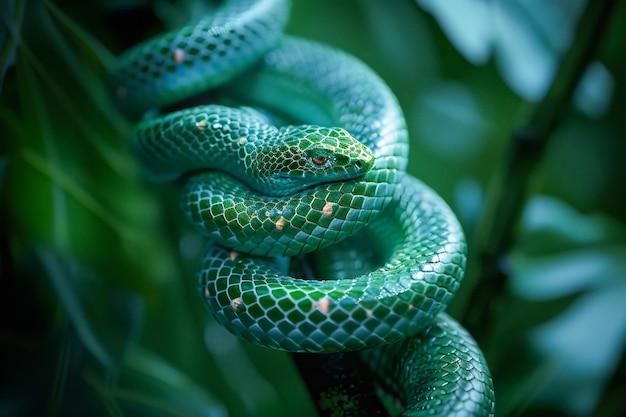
585, 342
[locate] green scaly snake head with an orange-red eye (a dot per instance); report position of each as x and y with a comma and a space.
304, 156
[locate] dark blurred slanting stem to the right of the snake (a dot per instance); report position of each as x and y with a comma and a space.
496, 232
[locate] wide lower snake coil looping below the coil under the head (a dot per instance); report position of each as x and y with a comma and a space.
258, 302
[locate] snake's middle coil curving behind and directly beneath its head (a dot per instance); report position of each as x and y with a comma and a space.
295, 78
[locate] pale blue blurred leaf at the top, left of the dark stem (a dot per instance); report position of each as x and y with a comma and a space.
525, 37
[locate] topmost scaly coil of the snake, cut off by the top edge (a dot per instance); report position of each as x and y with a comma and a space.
182, 63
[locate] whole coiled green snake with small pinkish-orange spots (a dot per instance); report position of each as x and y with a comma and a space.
262, 188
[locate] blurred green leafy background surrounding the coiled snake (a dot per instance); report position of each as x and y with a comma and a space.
100, 314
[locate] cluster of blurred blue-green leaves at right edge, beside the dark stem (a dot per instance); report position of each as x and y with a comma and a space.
582, 257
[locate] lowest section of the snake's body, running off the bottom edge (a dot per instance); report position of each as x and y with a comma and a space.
438, 372
